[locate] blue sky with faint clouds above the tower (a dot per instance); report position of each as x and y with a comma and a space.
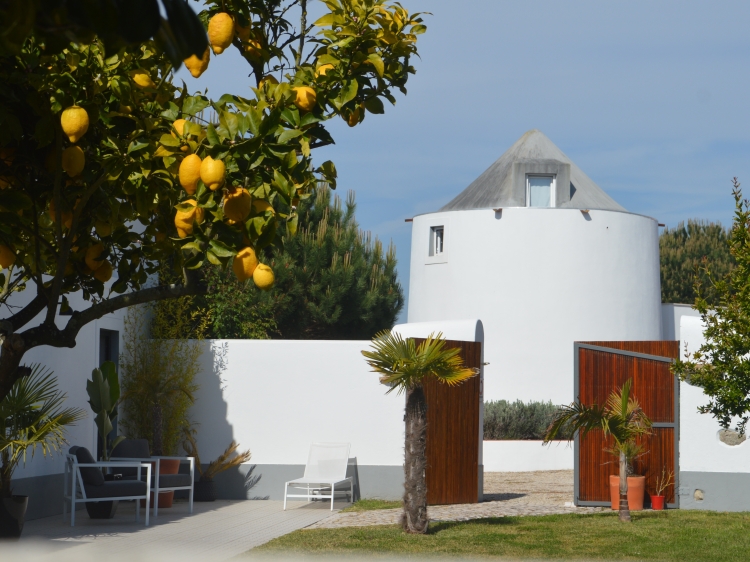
650, 99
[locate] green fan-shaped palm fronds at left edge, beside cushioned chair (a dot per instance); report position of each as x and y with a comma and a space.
31, 417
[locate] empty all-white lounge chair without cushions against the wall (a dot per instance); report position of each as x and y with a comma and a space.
326, 467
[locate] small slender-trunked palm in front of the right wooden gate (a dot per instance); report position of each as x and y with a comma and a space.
621, 417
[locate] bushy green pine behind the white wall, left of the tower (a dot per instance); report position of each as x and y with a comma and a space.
333, 281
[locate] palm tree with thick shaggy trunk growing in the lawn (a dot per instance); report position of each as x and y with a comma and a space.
404, 366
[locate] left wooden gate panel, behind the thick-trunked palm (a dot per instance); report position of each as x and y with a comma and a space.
453, 434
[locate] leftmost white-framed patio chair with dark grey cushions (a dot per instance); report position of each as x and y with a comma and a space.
87, 483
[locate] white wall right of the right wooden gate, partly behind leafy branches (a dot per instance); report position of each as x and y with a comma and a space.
700, 447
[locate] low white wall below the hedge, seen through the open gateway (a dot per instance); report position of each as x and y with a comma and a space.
527, 456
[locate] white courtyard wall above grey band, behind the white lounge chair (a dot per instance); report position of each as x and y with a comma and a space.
277, 397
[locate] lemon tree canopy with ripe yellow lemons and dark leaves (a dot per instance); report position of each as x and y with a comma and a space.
108, 169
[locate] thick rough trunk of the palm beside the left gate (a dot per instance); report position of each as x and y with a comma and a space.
414, 518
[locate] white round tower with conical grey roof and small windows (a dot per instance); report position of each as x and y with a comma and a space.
544, 257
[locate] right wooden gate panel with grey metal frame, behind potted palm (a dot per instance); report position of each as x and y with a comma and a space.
600, 368
